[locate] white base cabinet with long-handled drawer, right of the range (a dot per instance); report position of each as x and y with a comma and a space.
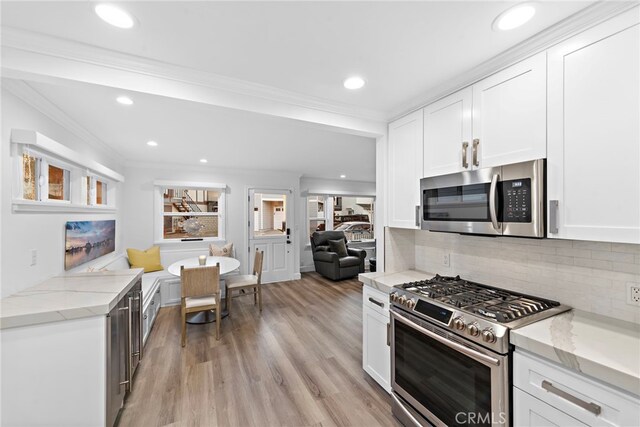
555, 395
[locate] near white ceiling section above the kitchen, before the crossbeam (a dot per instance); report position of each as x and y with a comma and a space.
402, 49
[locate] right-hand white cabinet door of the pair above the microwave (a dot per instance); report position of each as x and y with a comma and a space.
509, 115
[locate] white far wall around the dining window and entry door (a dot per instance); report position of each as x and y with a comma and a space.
138, 206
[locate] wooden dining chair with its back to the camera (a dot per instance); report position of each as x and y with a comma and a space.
200, 287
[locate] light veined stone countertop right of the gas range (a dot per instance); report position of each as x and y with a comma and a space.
602, 347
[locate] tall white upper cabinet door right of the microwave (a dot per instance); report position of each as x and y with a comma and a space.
594, 136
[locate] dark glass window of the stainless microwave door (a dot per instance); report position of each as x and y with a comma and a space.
460, 203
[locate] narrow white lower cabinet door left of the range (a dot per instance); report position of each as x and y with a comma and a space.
376, 354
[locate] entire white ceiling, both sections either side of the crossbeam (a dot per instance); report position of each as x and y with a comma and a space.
402, 49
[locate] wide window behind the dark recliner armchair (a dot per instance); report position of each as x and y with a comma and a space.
353, 215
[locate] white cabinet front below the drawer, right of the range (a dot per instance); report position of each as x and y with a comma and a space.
531, 412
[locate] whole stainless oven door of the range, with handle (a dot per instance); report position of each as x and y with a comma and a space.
445, 379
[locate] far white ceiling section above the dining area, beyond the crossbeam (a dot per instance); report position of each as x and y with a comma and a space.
188, 131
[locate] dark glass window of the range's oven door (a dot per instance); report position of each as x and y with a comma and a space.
449, 384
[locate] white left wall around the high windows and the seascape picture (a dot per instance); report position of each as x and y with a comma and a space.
44, 232
